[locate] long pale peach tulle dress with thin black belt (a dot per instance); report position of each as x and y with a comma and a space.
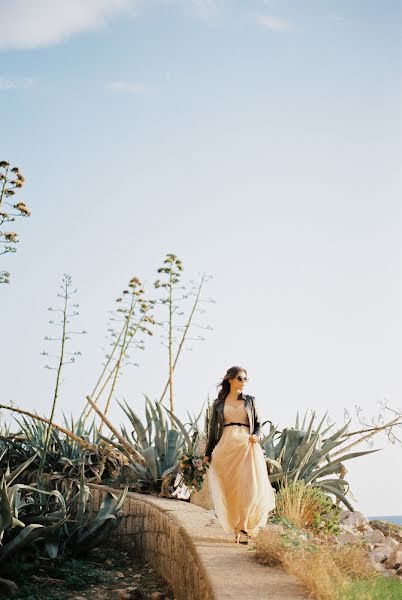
238, 478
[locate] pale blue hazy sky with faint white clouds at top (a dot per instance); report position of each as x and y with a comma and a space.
261, 142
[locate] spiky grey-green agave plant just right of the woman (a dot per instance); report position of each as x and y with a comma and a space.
304, 453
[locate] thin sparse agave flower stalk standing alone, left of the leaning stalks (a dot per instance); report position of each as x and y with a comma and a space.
63, 358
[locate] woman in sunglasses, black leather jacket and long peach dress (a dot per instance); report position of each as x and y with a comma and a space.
238, 478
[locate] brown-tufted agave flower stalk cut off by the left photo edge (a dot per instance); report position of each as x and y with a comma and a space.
11, 179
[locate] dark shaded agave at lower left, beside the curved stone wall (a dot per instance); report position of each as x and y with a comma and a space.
59, 520
